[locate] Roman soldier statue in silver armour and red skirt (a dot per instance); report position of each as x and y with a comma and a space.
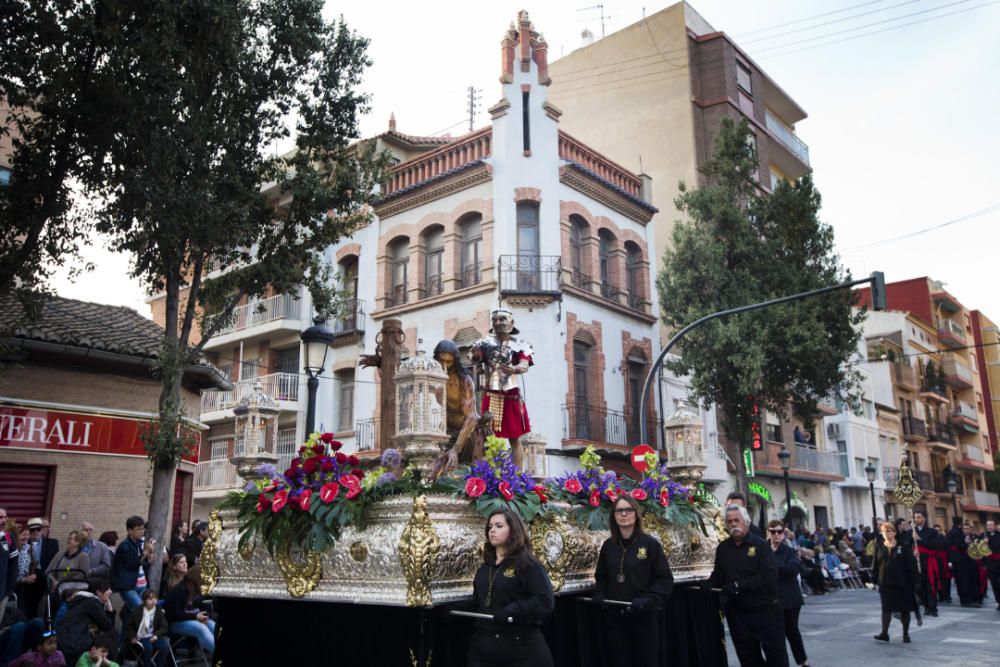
504, 357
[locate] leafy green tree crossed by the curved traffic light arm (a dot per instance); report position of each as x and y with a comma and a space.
741, 246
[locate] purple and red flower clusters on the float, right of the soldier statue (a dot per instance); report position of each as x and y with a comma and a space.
592, 491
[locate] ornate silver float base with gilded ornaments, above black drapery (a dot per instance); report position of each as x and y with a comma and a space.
423, 551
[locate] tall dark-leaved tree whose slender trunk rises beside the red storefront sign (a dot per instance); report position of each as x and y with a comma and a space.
191, 187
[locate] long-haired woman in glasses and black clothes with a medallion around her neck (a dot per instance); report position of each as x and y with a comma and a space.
632, 567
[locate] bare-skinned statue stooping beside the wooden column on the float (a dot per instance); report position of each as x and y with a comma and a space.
466, 429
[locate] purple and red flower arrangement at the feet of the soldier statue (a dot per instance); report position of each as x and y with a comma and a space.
495, 483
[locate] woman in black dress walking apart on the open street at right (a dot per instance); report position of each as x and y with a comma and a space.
895, 572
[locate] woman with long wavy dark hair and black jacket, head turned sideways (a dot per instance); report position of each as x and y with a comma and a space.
514, 589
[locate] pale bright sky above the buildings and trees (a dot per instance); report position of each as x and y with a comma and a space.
902, 127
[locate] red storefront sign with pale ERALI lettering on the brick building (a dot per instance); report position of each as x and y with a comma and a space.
37, 428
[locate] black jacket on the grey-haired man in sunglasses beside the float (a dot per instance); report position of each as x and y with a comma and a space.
751, 567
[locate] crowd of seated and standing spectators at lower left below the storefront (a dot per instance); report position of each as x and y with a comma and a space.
56, 601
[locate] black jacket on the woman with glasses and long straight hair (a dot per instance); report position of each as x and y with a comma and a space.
647, 572
